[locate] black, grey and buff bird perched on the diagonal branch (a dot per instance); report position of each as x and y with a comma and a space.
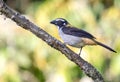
75, 37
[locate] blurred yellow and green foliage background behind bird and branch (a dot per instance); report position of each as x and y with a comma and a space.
26, 58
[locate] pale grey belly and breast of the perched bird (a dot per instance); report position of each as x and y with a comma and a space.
72, 40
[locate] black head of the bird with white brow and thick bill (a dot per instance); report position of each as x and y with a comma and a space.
59, 22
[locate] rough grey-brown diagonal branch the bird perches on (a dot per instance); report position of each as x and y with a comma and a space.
20, 20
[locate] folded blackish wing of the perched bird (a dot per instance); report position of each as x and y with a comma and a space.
77, 32
